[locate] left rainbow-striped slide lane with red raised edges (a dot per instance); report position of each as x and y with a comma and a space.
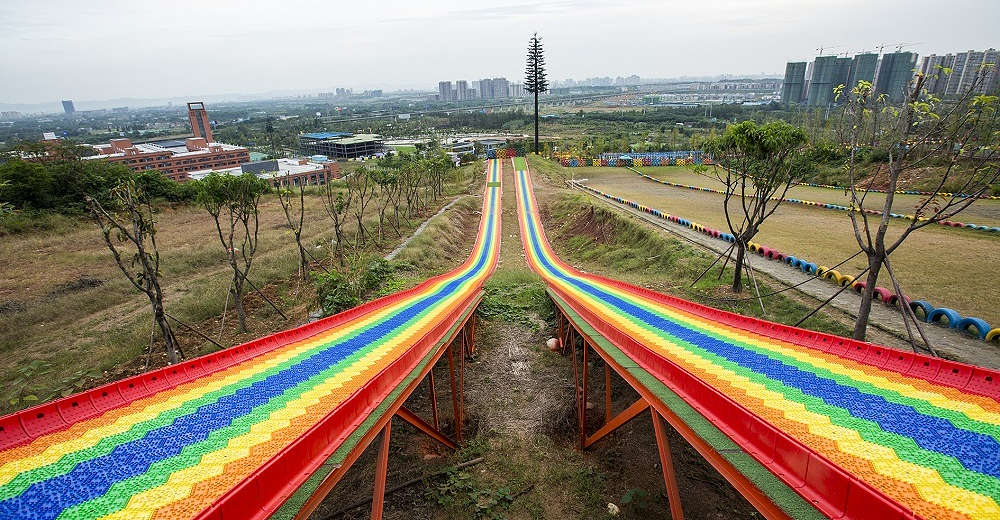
232, 435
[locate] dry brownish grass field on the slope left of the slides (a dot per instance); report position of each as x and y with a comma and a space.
51, 310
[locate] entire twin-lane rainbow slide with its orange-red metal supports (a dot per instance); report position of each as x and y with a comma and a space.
805, 425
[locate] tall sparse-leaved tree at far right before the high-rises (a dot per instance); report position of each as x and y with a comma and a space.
953, 143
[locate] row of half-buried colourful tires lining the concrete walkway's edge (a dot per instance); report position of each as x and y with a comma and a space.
922, 309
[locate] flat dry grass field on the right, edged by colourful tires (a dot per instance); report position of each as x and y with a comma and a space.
948, 267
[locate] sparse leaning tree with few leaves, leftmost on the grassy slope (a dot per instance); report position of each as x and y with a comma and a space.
129, 231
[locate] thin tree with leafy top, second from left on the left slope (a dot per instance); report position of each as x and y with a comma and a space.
233, 201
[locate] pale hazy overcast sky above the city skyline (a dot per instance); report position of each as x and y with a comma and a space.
105, 49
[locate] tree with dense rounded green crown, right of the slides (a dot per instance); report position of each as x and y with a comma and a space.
757, 165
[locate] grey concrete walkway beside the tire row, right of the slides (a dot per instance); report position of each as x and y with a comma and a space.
950, 343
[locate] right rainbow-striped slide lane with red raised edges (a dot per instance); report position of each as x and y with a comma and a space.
857, 430
